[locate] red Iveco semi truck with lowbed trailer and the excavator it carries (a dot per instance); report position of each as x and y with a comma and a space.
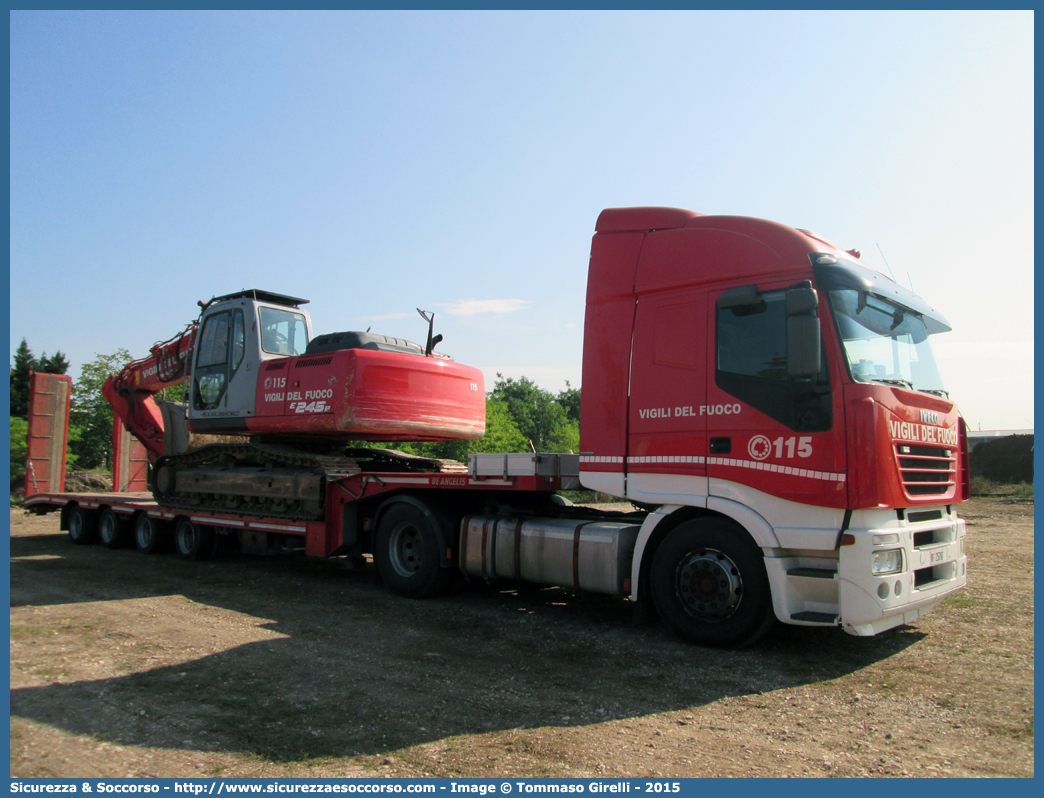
771, 406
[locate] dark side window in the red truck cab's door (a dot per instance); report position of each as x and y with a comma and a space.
752, 365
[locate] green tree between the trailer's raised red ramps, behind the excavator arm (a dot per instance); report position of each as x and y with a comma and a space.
91, 414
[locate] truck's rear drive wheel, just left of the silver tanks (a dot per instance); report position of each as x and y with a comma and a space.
407, 552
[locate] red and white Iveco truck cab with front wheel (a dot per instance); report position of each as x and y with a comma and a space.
761, 387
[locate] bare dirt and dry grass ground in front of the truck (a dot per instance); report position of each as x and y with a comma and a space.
127, 665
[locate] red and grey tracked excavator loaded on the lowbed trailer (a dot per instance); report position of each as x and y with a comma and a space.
254, 369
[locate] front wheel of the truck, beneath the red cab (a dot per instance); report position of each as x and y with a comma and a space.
709, 584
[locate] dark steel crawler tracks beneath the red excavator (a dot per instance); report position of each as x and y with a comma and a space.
271, 480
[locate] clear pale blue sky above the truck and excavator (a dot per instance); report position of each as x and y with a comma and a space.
379, 162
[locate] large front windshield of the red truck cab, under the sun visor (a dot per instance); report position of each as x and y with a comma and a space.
885, 342
